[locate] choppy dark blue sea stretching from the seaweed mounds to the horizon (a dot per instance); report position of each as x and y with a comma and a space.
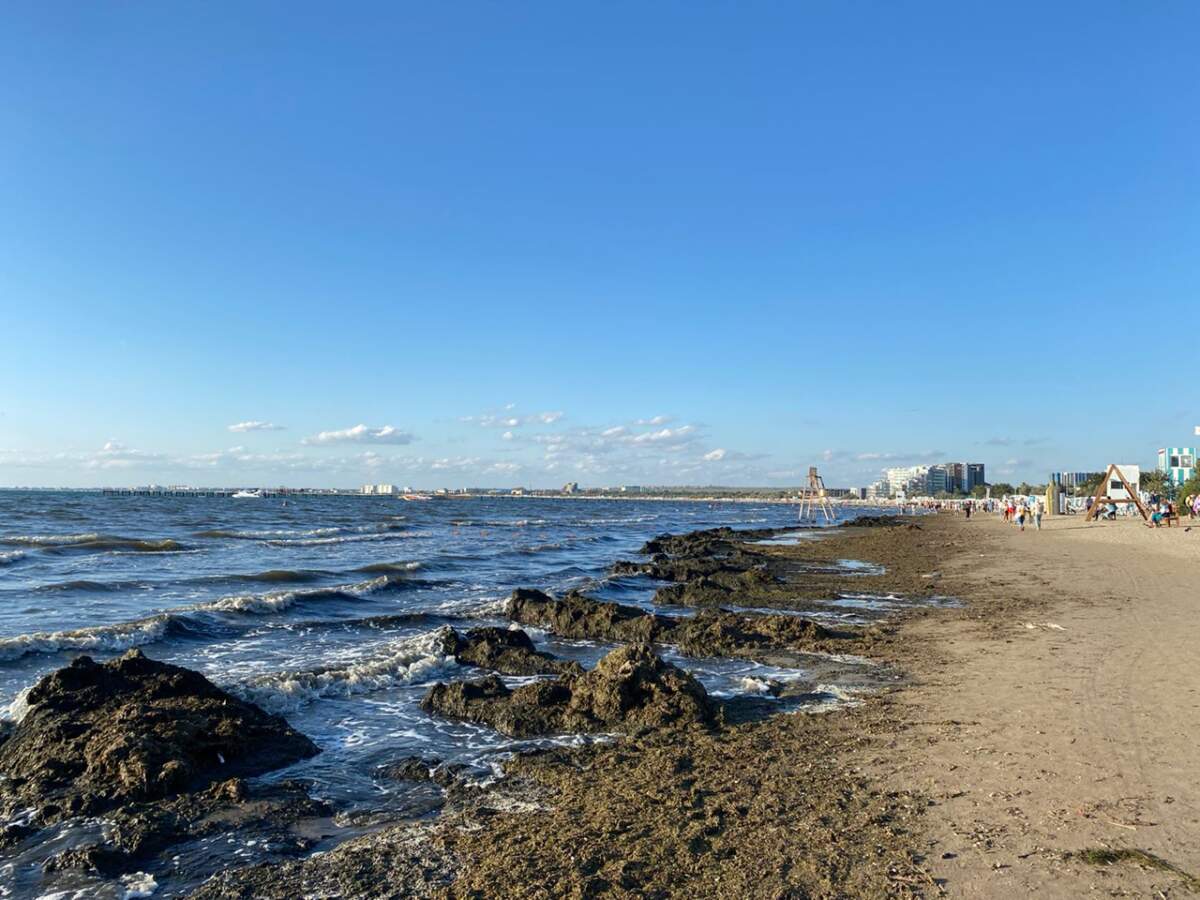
322, 609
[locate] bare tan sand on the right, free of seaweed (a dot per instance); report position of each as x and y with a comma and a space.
1061, 711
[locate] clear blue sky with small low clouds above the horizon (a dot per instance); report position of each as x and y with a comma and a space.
610, 243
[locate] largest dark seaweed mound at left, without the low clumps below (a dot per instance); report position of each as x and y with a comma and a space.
134, 729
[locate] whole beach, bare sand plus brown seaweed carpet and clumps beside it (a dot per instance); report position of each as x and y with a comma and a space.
1037, 737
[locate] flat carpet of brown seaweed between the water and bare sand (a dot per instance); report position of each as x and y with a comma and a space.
761, 807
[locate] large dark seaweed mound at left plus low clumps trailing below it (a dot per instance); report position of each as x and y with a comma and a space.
159, 751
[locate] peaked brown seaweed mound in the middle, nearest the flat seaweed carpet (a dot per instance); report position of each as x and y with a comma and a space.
629, 689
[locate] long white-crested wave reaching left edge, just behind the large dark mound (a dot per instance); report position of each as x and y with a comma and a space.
185, 621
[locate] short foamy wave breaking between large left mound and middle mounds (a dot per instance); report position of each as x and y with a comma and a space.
405, 662
